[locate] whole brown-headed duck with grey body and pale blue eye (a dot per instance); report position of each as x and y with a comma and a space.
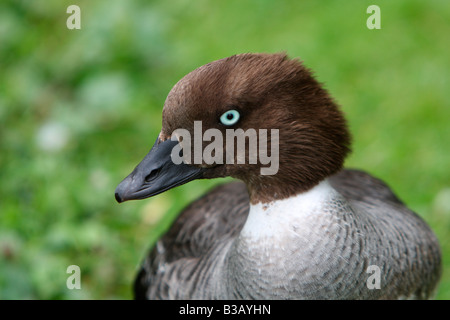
311, 229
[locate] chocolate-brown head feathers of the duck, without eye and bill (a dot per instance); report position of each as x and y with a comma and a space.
271, 92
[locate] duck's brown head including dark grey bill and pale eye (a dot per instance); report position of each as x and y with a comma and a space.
305, 132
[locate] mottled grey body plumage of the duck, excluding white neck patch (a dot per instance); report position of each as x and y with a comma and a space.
203, 255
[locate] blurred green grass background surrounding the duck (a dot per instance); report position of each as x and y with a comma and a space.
103, 88
